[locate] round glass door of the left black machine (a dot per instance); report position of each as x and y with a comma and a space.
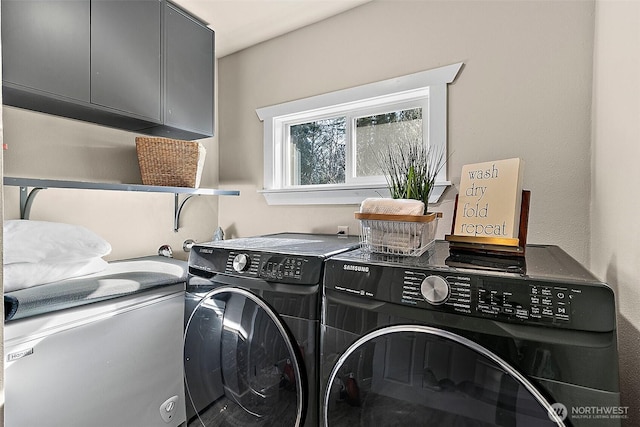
242, 366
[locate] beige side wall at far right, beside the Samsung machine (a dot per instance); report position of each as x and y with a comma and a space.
615, 193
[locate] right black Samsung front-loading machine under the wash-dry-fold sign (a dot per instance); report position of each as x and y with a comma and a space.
459, 339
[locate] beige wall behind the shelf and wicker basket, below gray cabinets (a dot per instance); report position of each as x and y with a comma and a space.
136, 224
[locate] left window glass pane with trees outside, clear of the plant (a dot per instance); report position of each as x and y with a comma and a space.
317, 152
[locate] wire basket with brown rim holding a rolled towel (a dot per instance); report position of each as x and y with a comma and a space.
409, 235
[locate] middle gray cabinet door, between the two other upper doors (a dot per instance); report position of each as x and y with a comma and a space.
125, 56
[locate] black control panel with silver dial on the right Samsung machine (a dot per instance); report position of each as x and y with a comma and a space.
507, 298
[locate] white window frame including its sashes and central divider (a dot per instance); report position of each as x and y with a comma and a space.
431, 84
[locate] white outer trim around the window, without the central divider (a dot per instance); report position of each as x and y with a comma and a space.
434, 81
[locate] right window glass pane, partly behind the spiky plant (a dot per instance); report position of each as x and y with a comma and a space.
375, 133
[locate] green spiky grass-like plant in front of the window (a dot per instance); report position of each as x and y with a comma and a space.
411, 170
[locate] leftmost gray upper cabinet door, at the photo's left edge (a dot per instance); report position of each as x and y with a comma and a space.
45, 46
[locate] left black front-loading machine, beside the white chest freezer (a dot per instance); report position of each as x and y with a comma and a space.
251, 342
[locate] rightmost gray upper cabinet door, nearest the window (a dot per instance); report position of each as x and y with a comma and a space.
189, 73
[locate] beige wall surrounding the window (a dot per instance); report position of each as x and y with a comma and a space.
525, 91
